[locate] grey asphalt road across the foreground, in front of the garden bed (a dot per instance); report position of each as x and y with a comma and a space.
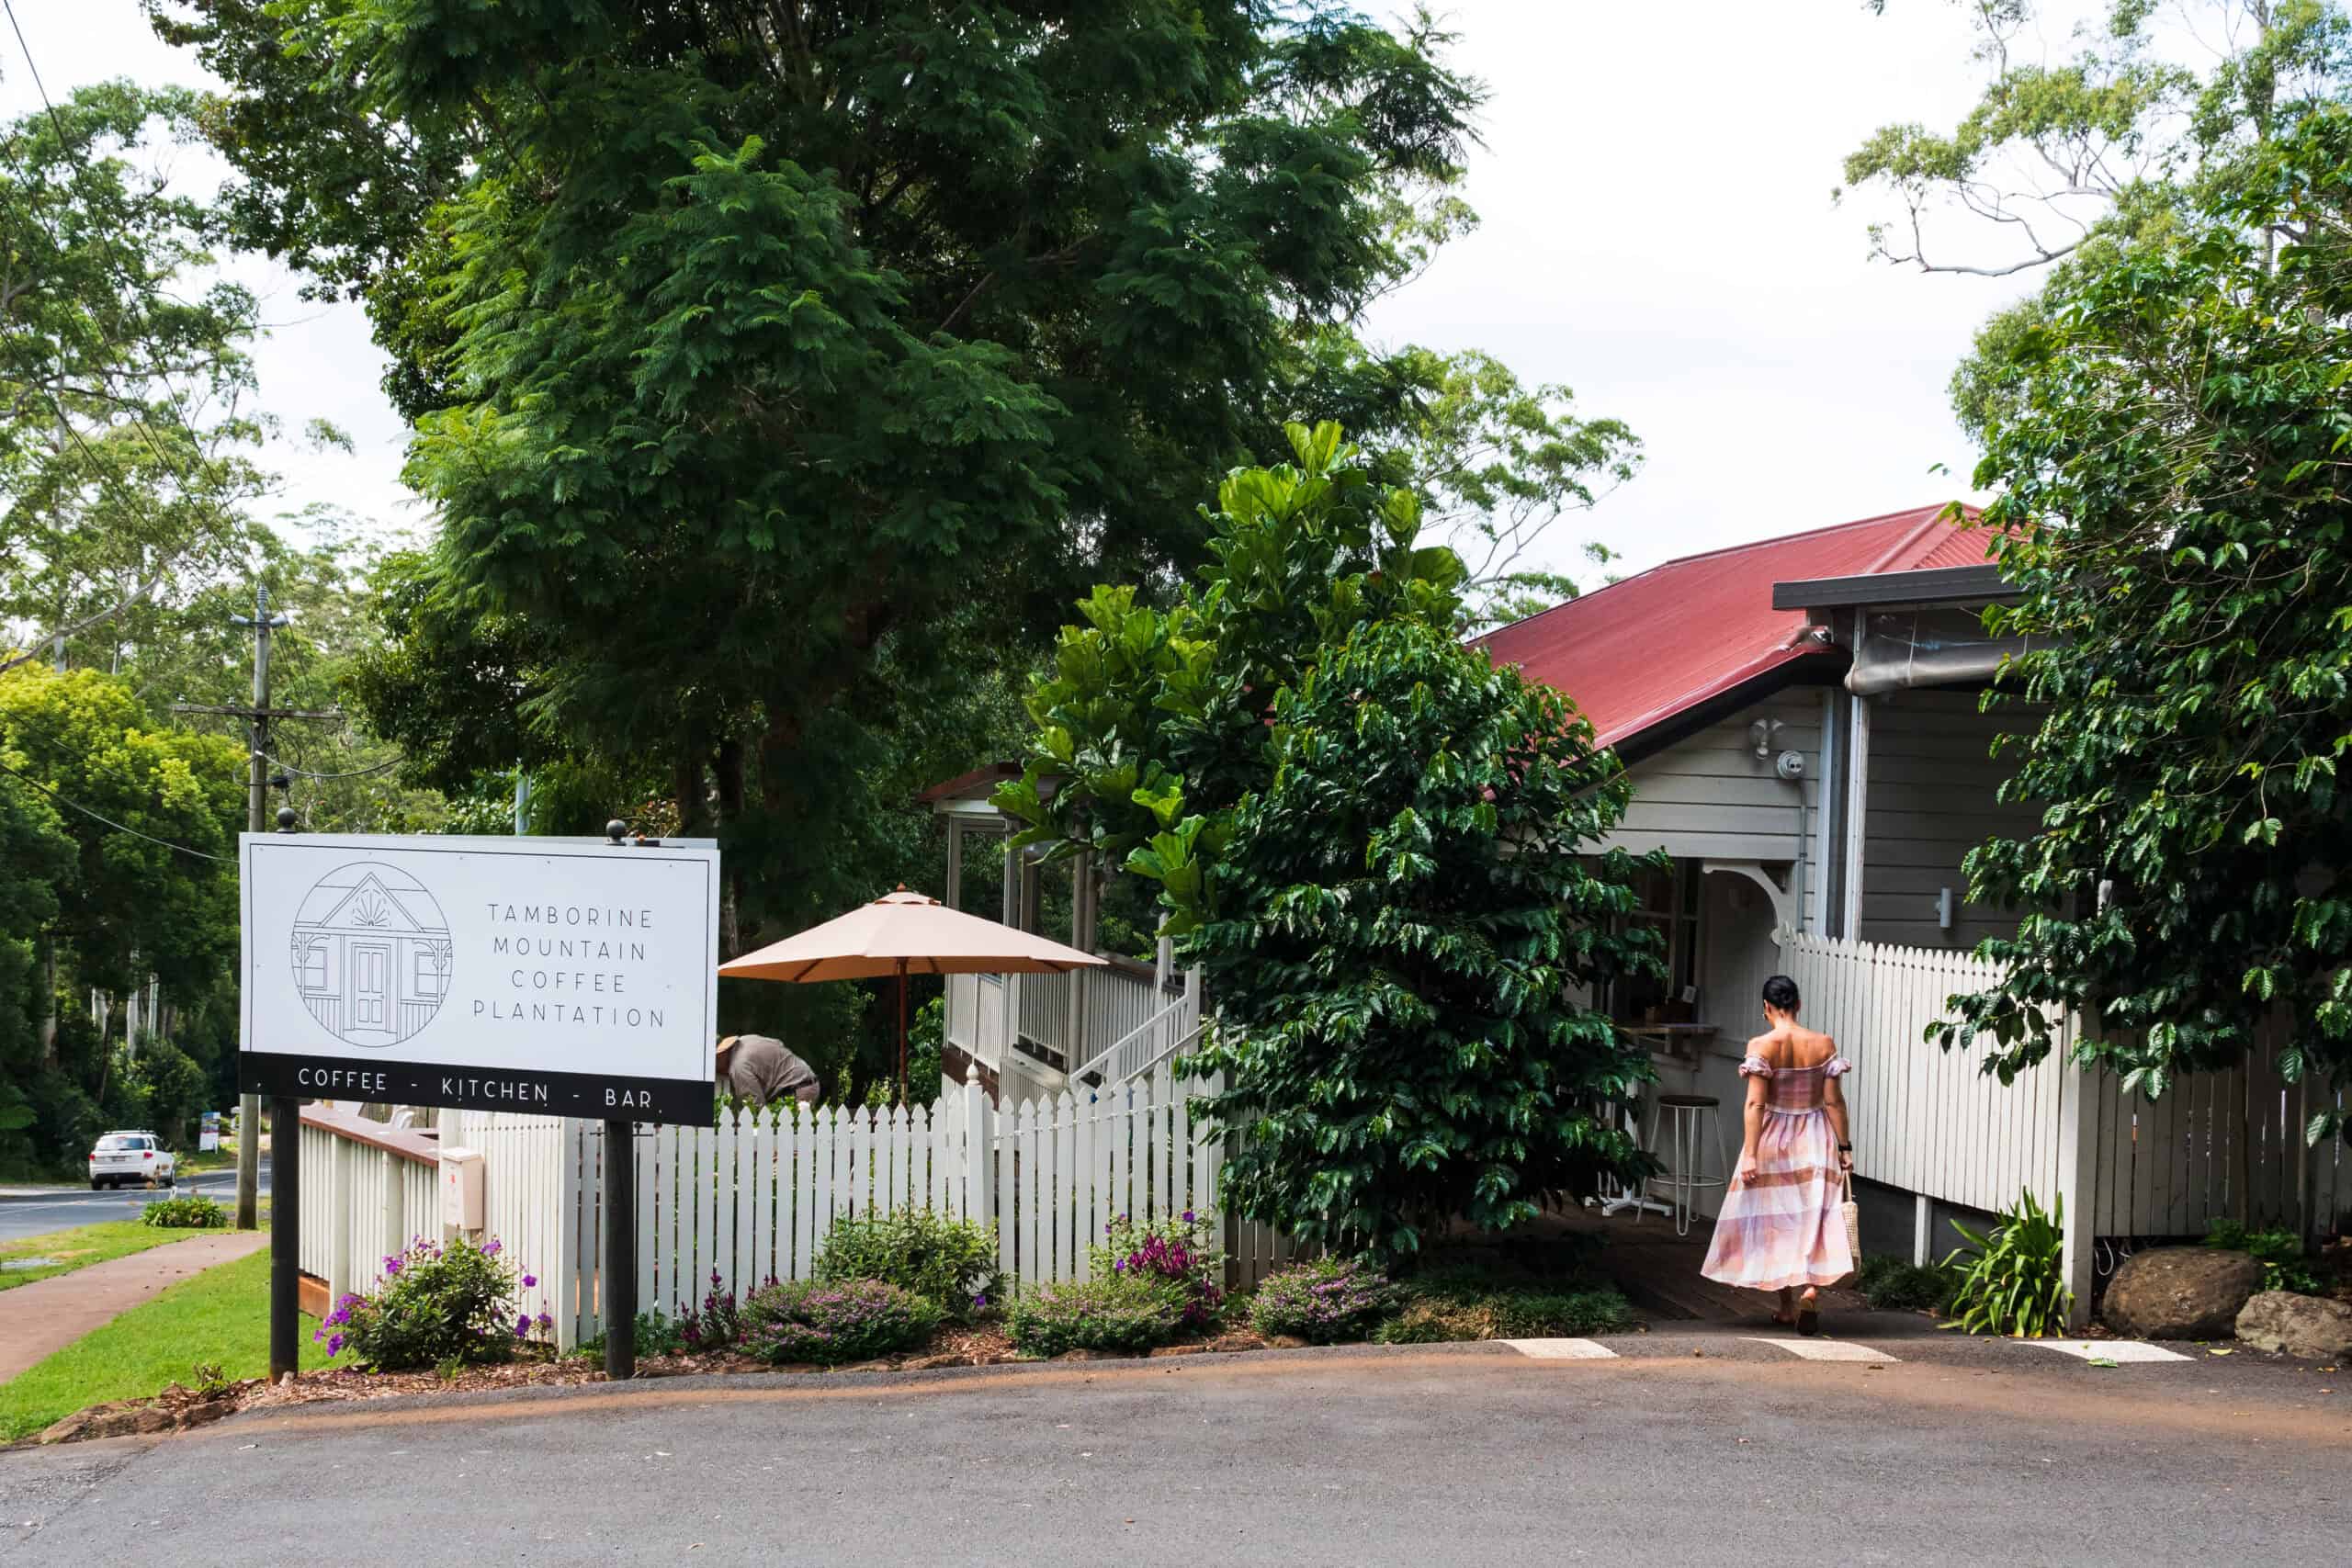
1389, 1456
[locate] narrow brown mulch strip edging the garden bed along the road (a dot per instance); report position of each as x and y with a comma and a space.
180, 1409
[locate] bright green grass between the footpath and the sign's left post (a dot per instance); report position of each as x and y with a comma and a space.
218, 1318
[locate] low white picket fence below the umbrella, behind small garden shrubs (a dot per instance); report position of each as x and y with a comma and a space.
756, 1195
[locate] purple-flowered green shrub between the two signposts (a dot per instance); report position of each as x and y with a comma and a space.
436, 1306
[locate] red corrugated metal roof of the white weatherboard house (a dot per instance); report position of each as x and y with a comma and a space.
1641, 652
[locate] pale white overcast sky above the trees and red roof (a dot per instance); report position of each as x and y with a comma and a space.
1657, 232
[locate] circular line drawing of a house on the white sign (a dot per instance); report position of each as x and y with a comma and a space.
370, 953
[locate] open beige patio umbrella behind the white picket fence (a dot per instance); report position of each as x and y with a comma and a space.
904, 934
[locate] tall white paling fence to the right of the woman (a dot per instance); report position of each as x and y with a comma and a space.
2130, 1170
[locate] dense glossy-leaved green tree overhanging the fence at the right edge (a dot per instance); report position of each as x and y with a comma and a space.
2172, 457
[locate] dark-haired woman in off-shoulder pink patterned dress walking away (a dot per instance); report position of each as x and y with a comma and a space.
1782, 1226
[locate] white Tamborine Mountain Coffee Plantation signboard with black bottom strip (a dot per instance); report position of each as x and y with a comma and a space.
556, 977
